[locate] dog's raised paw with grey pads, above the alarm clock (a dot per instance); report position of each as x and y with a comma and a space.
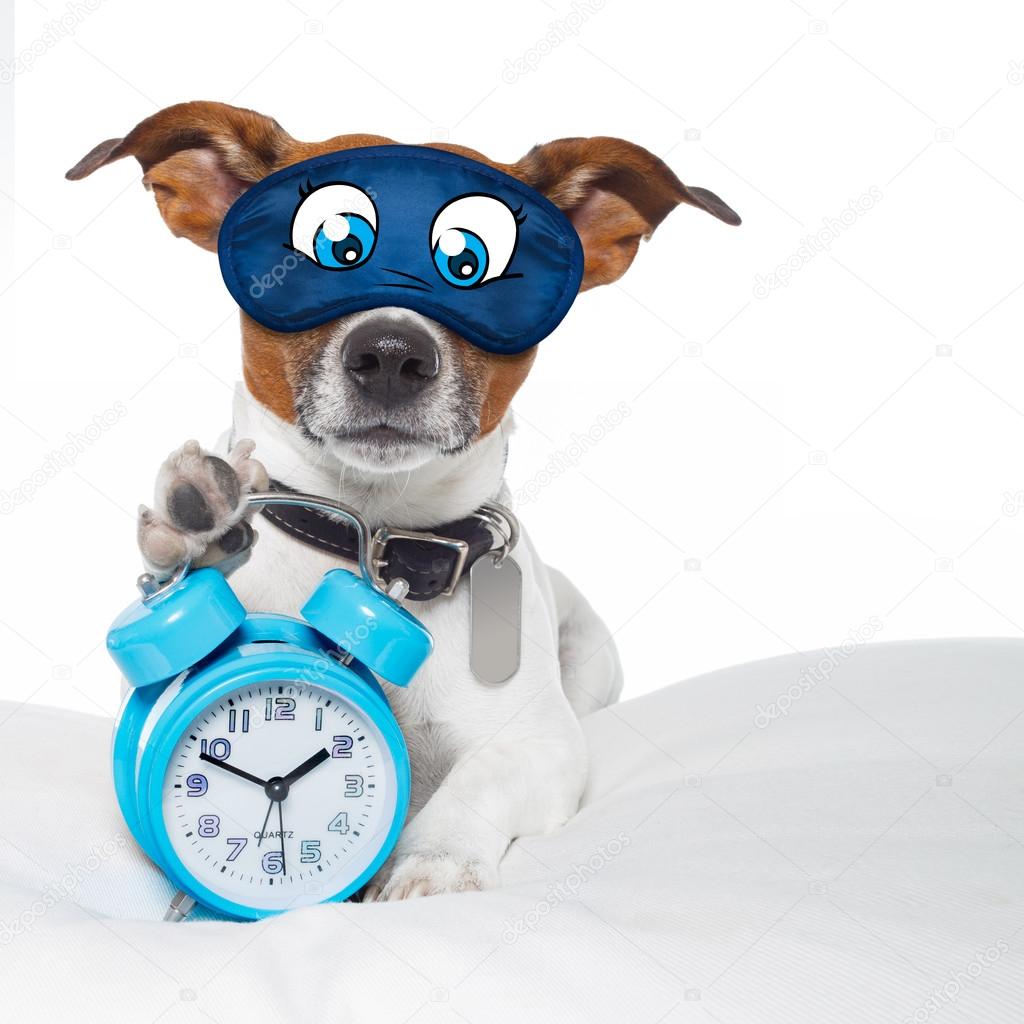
200, 513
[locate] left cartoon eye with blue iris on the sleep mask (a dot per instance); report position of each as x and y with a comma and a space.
336, 227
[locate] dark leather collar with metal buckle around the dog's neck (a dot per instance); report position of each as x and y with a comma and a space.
432, 562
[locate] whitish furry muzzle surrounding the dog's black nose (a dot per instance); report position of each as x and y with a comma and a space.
443, 419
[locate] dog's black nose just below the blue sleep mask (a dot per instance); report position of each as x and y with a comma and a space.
391, 363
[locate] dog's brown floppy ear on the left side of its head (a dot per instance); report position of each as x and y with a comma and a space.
197, 158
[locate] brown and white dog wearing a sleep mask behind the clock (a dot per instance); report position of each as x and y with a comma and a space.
400, 417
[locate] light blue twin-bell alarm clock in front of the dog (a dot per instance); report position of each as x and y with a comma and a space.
257, 760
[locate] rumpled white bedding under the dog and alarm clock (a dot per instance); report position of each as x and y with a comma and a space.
861, 859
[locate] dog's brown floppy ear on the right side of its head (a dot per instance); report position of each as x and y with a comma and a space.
616, 194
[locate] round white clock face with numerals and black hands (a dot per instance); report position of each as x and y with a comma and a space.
315, 810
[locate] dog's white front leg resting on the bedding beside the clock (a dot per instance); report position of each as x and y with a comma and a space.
507, 788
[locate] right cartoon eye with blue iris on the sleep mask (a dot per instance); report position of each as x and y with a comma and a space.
473, 240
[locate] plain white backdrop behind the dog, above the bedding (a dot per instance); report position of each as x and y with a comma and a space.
793, 464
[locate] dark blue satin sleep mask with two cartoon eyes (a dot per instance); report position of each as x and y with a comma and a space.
403, 226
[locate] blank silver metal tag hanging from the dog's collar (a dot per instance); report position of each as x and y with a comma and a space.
495, 620
